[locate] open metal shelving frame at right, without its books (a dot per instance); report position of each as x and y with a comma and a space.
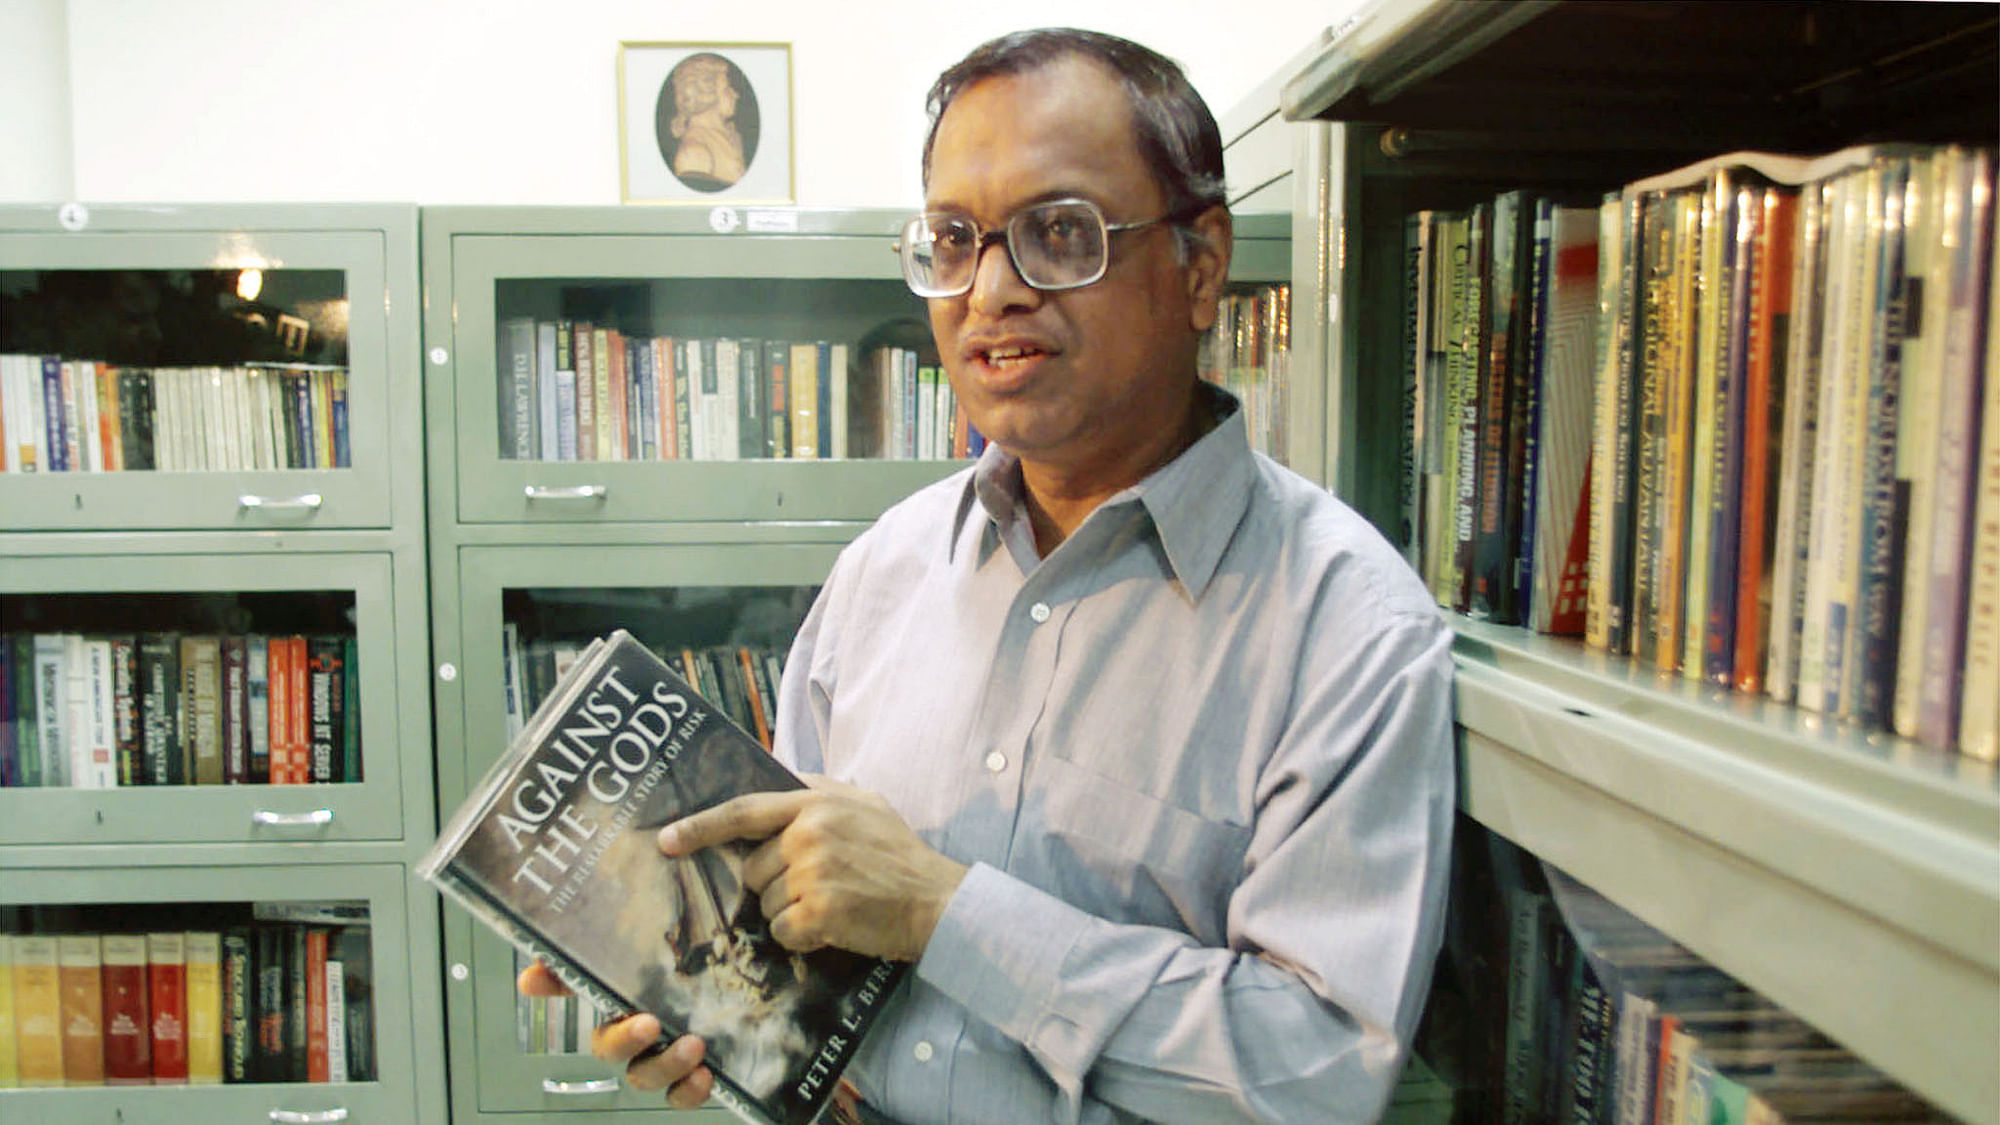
1851, 878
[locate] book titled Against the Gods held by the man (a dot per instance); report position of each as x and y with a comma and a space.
555, 850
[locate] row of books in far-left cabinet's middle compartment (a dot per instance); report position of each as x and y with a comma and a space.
99, 712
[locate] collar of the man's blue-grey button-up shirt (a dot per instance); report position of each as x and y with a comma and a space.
1193, 503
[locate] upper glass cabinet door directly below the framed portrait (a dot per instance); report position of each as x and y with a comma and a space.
685, 373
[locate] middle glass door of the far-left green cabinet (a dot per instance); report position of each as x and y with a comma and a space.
201, 698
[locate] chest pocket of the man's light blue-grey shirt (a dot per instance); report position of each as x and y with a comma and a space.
1127, 856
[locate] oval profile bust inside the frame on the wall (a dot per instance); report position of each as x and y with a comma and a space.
707, 123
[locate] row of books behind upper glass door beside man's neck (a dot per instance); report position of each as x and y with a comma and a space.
581, 391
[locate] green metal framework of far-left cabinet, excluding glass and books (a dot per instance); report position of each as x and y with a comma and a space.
351, 537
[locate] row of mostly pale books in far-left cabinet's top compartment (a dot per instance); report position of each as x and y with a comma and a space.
77, 415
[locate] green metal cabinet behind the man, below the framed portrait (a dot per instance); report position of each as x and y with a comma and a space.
691, 553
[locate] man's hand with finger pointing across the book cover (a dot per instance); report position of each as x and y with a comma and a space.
837, 868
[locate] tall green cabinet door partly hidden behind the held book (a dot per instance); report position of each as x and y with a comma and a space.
721, 614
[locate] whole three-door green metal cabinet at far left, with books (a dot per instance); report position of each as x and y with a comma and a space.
223, 337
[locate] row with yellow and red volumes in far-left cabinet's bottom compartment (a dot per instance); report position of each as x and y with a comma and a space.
261, 1004
